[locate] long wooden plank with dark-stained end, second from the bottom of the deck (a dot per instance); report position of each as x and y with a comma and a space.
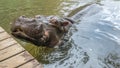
16, 60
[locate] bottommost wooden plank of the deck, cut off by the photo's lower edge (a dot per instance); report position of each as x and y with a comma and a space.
32, 64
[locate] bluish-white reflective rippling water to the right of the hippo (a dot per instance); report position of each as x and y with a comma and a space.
97, 37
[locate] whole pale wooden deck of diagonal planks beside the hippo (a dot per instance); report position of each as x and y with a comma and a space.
13, 55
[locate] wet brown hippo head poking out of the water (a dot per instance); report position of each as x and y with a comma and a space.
41, 30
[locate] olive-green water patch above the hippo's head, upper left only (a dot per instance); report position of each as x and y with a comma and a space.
12, 9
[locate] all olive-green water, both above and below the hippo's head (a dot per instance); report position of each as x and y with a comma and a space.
12, 9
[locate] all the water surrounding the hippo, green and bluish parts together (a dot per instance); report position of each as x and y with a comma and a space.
92, 42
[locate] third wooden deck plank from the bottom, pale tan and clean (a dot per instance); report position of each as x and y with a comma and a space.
8, 52
